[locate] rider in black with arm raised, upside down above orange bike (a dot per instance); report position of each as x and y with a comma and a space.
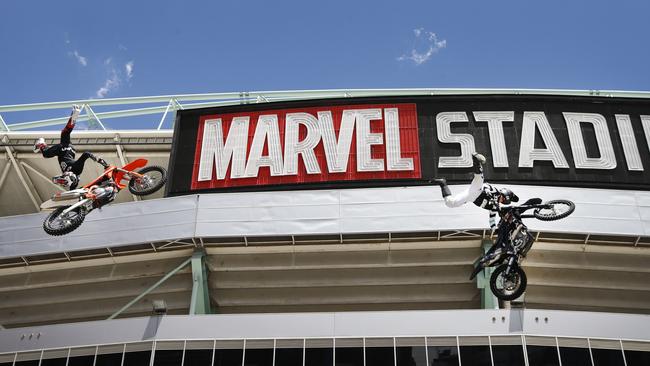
65, 153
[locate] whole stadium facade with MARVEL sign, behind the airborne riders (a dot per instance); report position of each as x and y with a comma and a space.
296, 229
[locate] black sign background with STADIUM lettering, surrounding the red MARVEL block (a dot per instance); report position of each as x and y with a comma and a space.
567, 141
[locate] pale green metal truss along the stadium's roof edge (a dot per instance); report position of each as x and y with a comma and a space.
163, 105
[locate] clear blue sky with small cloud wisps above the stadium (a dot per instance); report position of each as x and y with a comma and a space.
55, 50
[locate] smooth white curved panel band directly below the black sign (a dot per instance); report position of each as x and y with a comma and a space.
369, 210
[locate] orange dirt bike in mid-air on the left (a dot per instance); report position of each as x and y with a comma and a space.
71, 207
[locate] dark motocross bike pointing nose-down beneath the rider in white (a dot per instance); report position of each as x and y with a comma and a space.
508, 281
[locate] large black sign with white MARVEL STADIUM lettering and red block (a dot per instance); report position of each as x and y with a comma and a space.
389, 141
